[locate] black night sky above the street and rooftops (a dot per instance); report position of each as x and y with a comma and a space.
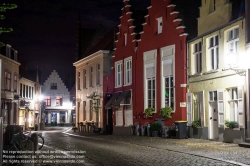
45, 30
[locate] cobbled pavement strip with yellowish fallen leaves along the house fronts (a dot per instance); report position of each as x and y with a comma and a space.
205, 148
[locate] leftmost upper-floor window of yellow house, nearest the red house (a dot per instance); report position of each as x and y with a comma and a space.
198, 57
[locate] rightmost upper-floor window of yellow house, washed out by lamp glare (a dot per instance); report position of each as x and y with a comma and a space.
232, 45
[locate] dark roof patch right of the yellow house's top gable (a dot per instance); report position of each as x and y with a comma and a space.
238, 9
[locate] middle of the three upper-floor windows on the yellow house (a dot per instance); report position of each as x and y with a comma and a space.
213, 52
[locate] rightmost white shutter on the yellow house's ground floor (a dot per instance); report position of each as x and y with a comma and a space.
241, 106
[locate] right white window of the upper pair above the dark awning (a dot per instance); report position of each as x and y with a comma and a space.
128, 71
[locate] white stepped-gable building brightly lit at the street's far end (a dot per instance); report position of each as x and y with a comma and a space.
58, 106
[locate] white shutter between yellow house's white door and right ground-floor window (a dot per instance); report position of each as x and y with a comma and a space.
220, 102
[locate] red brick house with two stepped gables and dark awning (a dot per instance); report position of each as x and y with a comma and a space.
150, 63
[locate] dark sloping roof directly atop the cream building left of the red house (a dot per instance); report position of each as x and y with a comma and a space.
106, 43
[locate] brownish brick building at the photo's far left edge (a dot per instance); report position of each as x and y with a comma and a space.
9, 85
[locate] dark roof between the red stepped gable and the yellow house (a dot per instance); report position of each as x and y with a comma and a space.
188, 12
